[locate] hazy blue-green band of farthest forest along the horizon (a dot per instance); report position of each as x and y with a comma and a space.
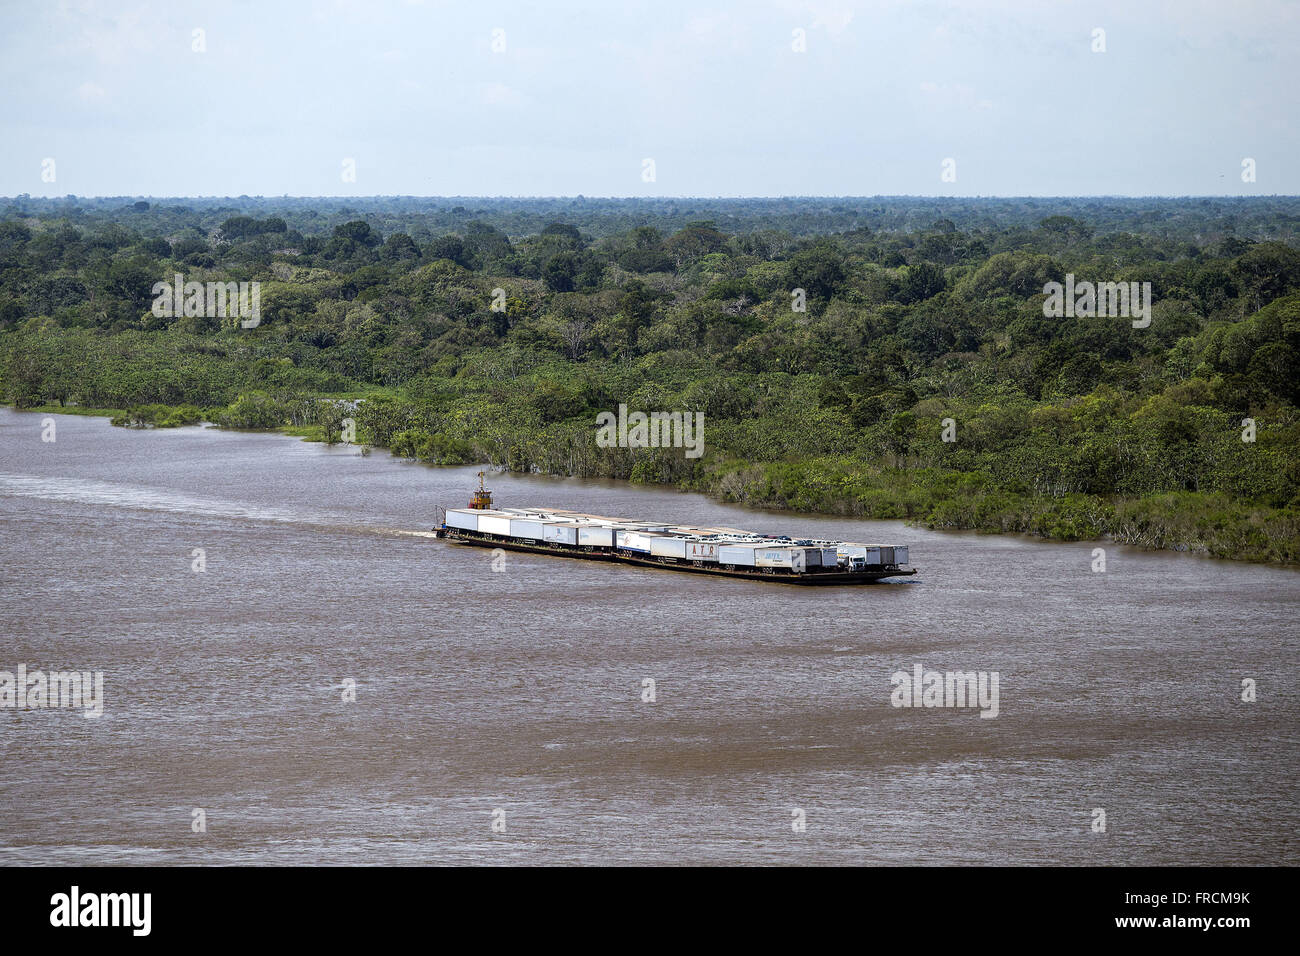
1191, 220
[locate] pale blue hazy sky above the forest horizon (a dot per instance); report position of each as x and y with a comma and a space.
613, 98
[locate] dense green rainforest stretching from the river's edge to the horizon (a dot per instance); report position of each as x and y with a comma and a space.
921, 379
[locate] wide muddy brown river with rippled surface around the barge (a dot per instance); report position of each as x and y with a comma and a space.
501, 717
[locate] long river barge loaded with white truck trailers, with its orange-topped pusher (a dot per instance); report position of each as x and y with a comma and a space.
722, 552
